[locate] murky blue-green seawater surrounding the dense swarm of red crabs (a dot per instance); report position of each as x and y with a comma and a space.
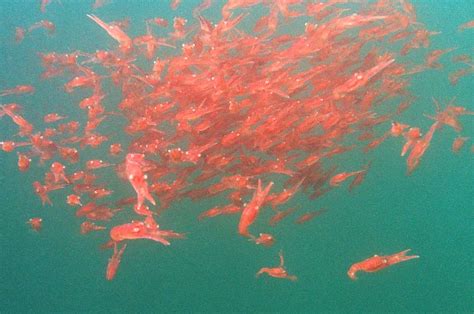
430, 211
